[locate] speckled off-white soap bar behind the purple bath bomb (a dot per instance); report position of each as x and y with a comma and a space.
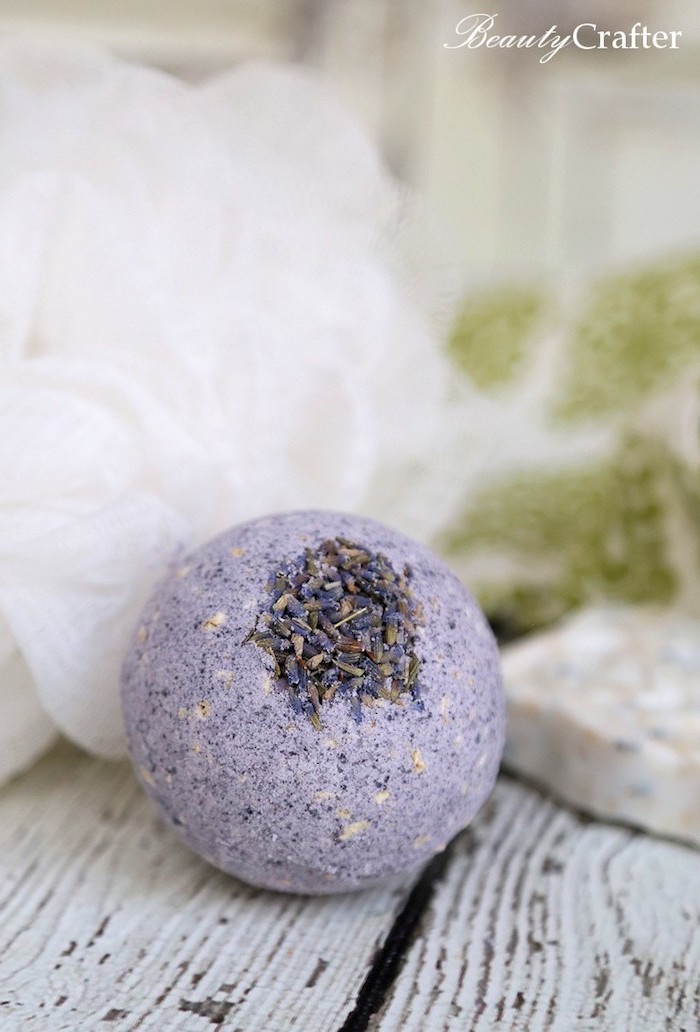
606, 713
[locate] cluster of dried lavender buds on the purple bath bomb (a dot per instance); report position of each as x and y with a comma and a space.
362, 601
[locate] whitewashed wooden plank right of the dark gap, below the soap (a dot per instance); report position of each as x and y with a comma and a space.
547, 921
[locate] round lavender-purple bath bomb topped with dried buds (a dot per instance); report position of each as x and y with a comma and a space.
314, 702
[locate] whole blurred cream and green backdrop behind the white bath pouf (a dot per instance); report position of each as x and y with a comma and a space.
570, 196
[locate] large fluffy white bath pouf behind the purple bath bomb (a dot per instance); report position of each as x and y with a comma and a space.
212, 306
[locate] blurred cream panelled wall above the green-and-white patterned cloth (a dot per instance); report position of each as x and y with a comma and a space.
591, 160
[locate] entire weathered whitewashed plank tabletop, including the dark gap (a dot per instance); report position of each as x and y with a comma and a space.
534, 919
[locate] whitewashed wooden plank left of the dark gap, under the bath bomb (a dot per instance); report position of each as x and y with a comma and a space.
107, 921
